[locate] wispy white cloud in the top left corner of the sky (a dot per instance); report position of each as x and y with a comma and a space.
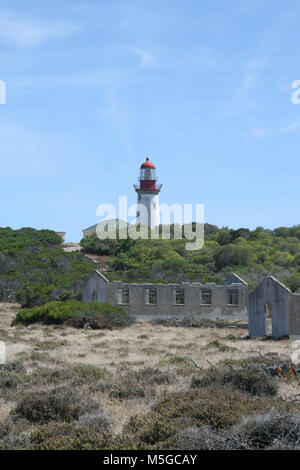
23, 31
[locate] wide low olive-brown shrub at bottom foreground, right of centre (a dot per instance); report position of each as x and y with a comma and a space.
217, 406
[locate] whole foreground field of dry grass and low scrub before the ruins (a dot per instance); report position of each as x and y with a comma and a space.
144, 387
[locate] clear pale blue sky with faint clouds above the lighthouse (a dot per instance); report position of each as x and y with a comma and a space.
203, 87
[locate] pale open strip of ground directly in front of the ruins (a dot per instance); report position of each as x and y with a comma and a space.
141, 344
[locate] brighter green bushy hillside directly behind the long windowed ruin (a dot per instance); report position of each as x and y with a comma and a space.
250, 253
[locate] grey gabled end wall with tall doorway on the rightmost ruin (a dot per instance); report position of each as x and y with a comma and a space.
272, 292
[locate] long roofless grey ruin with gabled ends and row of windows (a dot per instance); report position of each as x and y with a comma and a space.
227, 301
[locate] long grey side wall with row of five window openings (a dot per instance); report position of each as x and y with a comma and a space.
137, 304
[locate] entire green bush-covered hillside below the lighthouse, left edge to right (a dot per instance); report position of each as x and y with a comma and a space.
34, 269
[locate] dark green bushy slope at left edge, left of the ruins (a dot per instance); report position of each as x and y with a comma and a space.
35, 269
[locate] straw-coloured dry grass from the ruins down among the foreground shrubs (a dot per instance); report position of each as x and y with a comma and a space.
121, 354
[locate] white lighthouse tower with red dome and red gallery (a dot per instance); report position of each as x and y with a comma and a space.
148, 196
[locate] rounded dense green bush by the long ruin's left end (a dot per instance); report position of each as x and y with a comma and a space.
94, 315
